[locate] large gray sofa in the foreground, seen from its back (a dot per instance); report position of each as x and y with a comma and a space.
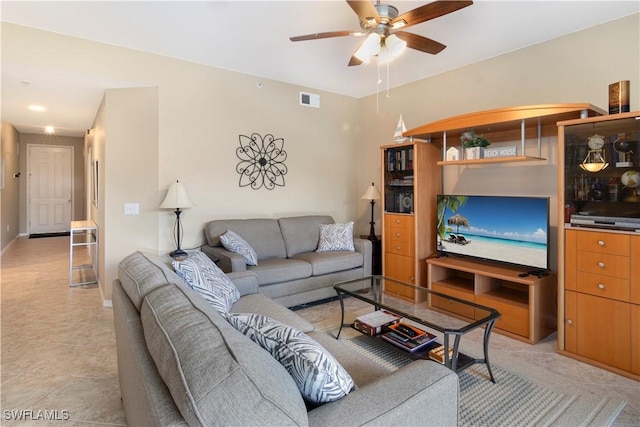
181, 363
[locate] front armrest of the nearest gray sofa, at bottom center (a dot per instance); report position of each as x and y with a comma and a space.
423, 392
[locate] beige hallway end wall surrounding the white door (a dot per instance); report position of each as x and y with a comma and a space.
79, 202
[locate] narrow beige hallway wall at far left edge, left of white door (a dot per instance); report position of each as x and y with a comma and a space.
9, 195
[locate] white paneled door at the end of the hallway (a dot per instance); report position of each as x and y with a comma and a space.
50, 188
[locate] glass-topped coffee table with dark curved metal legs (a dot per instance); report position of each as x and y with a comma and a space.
371, 290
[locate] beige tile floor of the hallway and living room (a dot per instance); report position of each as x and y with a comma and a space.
58, 347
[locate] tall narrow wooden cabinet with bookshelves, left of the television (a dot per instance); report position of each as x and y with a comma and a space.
411, 181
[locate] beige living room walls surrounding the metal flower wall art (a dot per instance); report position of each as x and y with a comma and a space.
333, 152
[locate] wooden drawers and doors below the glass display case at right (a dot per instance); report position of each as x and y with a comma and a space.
601, 320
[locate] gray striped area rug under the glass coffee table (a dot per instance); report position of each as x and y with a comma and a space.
512, 401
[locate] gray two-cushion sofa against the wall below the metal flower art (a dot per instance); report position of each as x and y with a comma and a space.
289, 269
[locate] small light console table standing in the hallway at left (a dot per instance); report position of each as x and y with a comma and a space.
83, 244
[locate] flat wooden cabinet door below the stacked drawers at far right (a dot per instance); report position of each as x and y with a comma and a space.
604, 330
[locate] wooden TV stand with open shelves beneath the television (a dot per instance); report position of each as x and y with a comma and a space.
527, 303
